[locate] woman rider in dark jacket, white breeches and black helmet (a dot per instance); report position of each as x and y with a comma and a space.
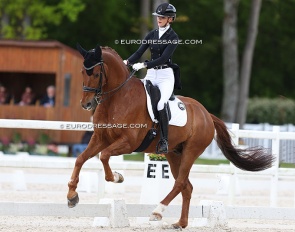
162, 43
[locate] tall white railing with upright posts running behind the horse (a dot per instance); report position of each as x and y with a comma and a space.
274, 173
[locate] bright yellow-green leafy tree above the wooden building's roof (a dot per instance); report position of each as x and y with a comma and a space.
27, 19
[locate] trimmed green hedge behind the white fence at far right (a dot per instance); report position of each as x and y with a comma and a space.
276, 111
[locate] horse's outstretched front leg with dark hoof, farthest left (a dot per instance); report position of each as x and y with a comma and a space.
91, 150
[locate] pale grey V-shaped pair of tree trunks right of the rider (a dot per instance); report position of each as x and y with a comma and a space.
236, 87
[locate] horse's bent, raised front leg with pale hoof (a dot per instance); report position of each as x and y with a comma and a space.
117, 148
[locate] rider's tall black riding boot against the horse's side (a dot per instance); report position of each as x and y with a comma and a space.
162, 146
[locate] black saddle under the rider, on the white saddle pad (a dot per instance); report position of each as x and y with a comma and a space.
155, 96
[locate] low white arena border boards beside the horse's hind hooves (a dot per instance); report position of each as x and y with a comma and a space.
115, 213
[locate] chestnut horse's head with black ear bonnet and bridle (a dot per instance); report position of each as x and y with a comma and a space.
93, 72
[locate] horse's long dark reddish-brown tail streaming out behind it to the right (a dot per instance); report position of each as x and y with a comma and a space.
250, 159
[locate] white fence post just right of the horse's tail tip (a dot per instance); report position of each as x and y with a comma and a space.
274, 178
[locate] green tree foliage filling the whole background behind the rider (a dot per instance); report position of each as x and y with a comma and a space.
92, 22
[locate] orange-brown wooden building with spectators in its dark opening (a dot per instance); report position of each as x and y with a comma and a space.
39, 64
